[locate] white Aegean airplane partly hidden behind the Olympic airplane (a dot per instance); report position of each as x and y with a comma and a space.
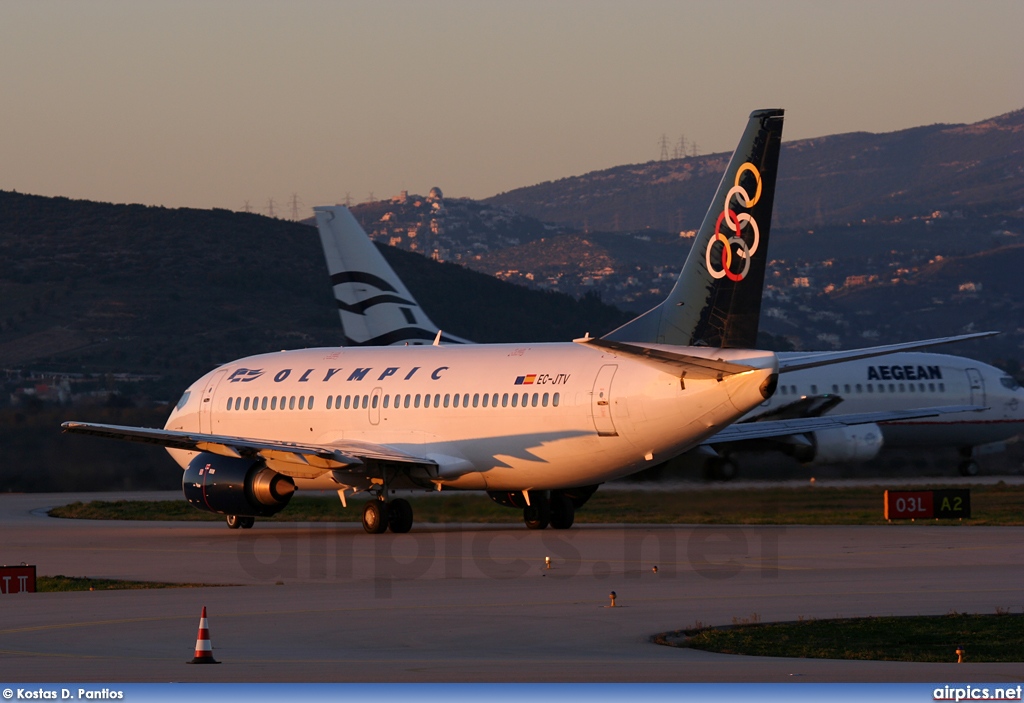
377, 309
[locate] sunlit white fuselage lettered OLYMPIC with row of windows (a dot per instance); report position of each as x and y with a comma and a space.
500, 417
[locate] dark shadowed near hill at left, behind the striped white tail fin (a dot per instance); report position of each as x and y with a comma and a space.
92, 288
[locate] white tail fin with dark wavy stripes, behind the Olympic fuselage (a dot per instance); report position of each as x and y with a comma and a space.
376, 307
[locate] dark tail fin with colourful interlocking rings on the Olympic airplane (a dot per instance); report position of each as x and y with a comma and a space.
717, 299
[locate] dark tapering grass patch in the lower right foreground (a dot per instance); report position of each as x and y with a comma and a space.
985, 639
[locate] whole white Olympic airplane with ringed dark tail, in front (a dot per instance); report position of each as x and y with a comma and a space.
537, 426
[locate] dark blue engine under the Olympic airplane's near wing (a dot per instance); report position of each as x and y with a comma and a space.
236, 487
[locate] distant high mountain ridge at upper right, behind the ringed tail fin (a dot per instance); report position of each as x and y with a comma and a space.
836, 180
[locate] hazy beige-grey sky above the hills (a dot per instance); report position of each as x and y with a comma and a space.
206, 104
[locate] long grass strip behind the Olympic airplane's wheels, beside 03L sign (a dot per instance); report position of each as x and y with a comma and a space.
999, 505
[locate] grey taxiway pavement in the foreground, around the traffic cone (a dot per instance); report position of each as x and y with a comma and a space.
326, 602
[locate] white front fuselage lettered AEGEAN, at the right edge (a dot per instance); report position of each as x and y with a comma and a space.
913, 380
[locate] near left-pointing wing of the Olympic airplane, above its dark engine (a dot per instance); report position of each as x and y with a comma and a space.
290, 459
